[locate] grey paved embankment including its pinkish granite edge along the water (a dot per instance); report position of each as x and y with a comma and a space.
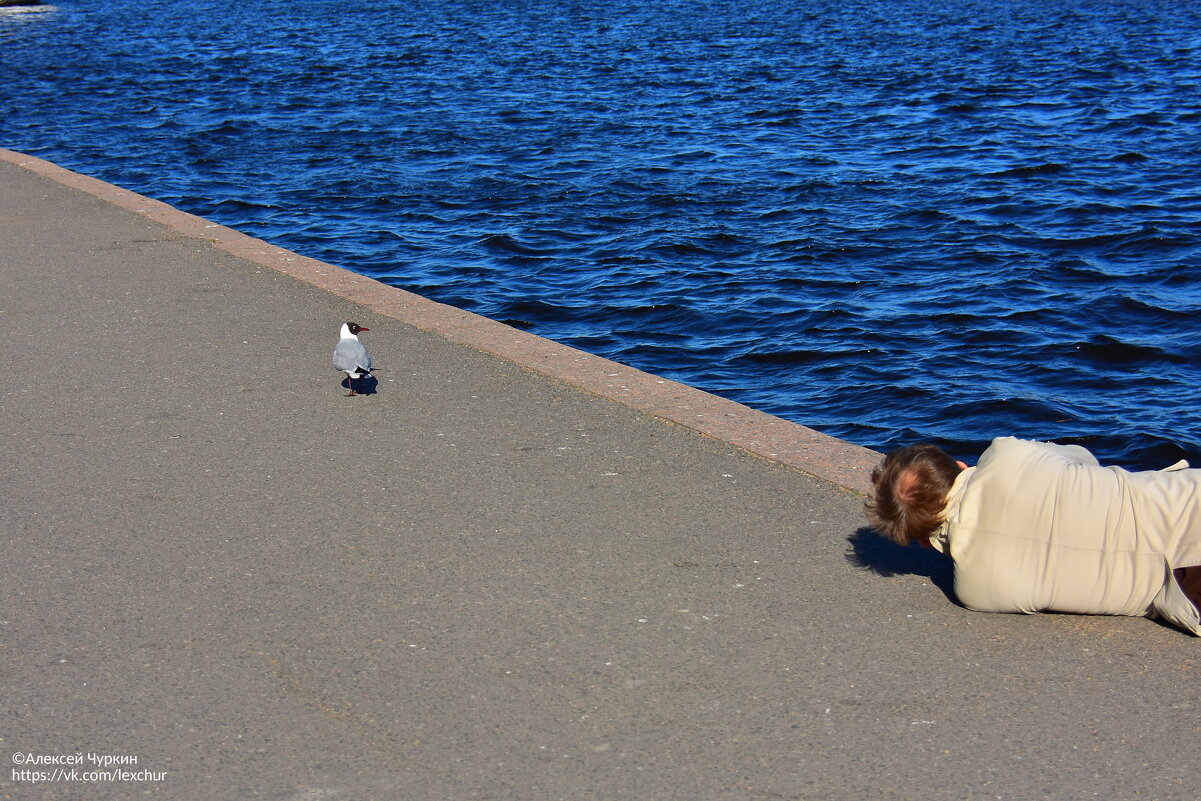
516, 572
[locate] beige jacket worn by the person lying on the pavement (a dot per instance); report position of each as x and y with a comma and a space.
1038, 527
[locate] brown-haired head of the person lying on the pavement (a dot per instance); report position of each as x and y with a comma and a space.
912, 486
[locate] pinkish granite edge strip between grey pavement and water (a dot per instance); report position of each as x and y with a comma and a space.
845, 465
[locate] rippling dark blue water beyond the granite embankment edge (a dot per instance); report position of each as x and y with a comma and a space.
889, 220
